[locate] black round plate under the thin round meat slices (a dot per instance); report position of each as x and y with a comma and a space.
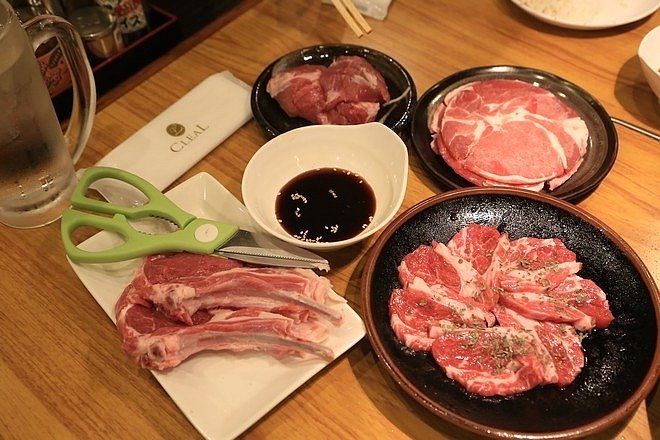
601, 149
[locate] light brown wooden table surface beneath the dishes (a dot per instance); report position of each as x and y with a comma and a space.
62, 371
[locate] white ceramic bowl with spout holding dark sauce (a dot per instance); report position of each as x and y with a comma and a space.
371, 150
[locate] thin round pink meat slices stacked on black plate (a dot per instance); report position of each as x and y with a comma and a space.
509, 133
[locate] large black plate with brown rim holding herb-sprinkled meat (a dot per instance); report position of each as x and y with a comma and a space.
622, 361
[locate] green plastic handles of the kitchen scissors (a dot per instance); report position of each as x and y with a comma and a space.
194, 234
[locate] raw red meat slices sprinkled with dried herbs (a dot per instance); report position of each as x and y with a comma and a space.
498, 316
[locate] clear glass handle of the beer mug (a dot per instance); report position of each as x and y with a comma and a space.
41, 29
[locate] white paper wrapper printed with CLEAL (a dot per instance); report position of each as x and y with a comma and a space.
182, 134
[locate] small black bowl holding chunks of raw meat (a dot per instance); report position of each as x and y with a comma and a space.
274, 121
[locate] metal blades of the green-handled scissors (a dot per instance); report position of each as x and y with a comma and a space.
259, 248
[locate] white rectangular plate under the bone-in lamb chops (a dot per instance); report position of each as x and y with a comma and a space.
221, 393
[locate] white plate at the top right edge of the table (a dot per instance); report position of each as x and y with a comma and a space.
589, 14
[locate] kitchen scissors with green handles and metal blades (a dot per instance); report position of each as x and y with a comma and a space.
192, 234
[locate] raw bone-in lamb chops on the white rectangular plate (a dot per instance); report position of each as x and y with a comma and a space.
171, 311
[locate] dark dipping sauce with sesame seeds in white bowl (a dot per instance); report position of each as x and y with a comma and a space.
325, 205
